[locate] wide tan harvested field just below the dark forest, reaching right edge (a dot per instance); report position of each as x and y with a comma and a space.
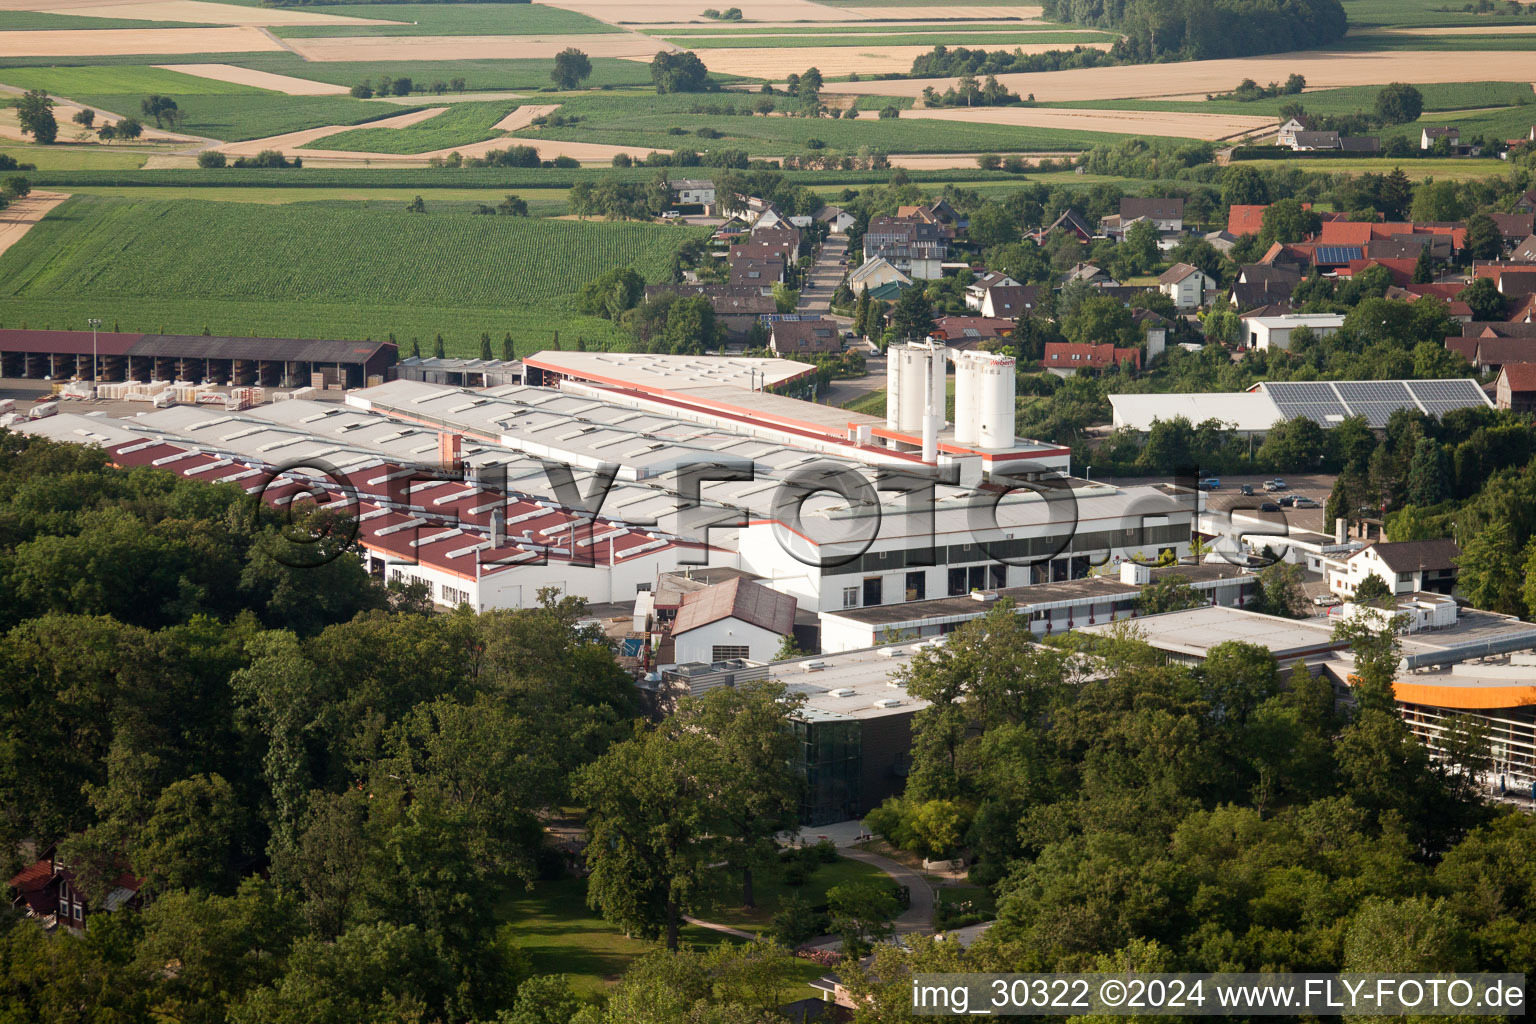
1137, 82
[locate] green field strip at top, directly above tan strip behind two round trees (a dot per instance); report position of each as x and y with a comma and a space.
452, 19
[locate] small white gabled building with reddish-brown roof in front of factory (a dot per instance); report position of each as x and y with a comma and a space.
732, 621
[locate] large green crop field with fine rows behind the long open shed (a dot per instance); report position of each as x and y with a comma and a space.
313, 271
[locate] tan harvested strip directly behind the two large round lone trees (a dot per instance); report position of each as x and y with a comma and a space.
351, 48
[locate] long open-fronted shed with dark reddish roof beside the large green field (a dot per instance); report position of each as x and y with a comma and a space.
240, 362
